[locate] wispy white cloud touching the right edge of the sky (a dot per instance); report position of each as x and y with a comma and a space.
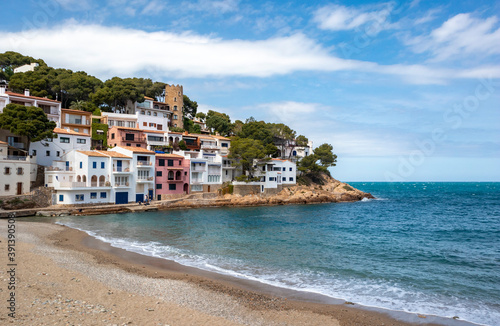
461, 35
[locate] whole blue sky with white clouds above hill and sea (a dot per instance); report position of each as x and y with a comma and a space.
402, 90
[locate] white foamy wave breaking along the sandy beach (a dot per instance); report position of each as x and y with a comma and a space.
366, 292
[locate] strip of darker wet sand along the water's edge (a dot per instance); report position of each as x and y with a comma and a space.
252, 295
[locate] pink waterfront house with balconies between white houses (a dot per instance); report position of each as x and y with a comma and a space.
171, 175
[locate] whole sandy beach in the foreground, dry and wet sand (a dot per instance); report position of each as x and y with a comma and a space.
64, 277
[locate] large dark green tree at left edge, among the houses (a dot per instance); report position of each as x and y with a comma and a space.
28, 121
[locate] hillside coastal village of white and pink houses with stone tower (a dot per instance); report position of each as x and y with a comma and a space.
143, 161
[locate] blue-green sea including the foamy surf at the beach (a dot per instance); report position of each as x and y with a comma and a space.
427, 248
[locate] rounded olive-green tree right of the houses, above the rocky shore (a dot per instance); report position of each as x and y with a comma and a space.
244, 151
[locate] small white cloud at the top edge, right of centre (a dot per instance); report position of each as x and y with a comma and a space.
337, 18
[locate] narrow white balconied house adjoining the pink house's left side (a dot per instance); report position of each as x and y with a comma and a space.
143, 168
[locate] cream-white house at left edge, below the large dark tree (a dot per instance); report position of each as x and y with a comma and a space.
17, 173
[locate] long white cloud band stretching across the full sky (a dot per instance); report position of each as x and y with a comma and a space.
116, 51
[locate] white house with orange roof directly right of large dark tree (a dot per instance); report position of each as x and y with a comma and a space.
50, 150
